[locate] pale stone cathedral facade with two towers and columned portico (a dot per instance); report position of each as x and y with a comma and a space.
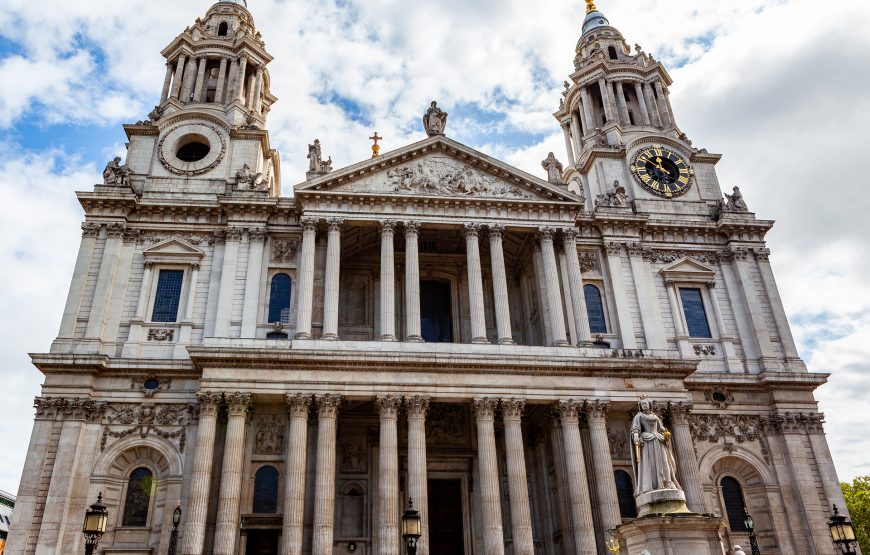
430, 323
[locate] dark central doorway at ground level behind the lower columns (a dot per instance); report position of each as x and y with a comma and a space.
446, 534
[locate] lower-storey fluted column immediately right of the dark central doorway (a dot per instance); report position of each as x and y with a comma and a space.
490, 497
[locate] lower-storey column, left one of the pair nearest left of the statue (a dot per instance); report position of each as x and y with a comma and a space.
581, 509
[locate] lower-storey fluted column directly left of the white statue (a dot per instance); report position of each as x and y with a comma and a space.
608, 500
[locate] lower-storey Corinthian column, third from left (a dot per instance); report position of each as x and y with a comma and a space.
294, 482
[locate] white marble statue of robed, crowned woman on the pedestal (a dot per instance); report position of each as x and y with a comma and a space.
652, 459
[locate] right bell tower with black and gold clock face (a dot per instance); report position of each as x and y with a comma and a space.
621, 136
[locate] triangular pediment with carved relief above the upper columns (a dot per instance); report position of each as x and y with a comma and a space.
438, 167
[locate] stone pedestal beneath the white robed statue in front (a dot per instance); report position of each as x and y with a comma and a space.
673, 534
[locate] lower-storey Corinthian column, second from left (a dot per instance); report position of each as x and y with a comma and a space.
227, 524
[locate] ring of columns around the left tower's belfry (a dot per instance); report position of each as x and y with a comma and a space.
186, 80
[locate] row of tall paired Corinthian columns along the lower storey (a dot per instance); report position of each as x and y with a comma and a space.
566, 419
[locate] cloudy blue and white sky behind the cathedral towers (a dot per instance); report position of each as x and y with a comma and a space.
781, 87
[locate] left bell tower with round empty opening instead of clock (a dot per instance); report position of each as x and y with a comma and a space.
208, 132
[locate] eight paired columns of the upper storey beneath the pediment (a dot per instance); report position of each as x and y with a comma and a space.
549, 282
